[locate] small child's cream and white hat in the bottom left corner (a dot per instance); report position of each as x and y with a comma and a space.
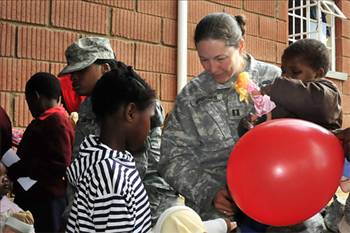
20, 222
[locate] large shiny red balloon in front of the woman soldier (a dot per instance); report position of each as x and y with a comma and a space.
284, 171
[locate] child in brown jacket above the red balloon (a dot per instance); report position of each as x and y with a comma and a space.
304, 92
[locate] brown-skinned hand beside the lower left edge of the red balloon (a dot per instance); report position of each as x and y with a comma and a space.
223, 202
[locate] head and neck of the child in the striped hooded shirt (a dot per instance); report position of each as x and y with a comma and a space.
121, 99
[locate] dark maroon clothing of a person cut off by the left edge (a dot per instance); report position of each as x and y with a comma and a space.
5, 132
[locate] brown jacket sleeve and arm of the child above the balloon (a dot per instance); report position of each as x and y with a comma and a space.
319, 99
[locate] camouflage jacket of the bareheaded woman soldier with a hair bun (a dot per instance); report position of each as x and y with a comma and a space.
200, 134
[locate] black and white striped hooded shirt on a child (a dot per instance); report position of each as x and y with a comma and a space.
110, 196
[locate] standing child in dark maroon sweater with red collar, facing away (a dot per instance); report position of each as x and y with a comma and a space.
44, 151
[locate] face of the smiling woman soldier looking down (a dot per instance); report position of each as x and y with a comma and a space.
219, 60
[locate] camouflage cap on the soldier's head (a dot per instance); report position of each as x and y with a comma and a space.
85, 52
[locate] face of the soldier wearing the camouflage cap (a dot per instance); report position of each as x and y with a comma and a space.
85, 80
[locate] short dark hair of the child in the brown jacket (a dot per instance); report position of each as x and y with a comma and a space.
311, 51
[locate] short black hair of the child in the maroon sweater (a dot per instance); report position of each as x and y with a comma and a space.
44, 84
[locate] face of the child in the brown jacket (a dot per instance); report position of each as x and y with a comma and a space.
297, 68
